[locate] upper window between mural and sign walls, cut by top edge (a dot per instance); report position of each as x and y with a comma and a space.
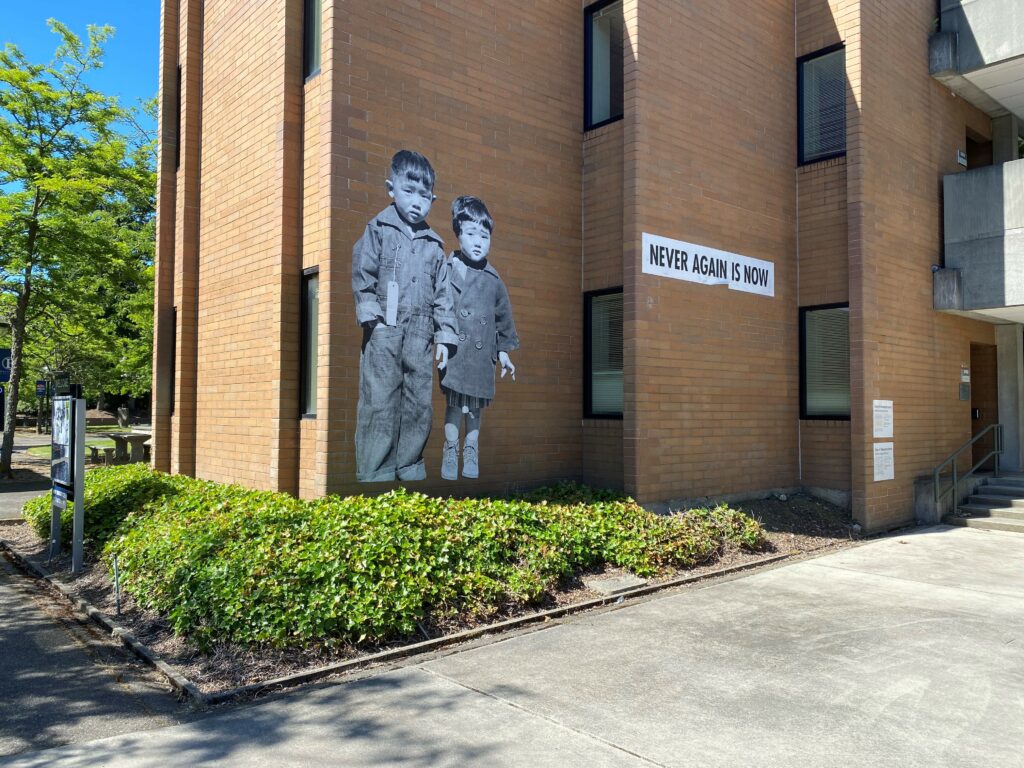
604, 66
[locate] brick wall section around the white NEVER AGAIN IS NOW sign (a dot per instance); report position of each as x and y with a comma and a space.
713, 389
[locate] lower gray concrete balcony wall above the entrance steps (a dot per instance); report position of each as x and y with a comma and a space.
984, 214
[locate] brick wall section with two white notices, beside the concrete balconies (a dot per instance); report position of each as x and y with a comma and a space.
905, 134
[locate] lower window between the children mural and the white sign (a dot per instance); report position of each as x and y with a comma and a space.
604, 354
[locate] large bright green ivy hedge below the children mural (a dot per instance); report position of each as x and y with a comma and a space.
224, 563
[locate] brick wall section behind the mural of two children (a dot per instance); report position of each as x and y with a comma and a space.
497, 108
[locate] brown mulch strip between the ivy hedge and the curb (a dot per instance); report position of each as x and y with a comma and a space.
796, 527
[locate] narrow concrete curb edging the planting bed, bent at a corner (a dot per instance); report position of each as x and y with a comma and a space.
187, 688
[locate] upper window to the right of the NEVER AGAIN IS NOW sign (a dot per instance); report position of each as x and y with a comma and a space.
823, 105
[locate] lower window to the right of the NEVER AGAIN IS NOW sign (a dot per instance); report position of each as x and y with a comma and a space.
825, 362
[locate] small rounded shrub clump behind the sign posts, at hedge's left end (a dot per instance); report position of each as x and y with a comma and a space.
111, 494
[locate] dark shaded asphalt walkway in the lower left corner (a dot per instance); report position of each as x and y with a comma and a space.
62, 682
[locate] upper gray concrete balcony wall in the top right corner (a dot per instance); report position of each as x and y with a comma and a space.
988, 31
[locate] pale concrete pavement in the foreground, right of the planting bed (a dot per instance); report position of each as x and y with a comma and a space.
908, 652
